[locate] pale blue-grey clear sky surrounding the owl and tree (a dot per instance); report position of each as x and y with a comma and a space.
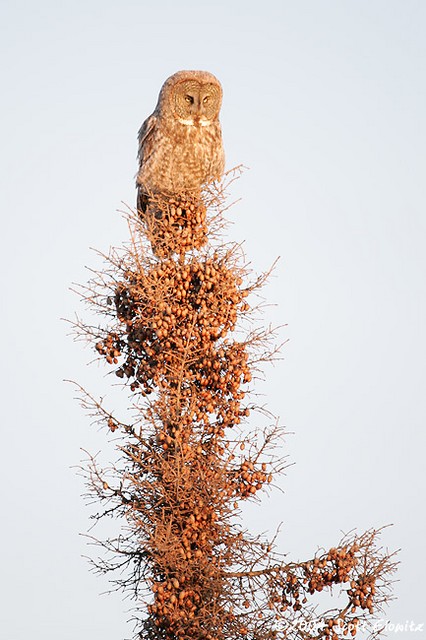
325, 102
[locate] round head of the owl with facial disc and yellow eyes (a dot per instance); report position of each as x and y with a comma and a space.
192, 97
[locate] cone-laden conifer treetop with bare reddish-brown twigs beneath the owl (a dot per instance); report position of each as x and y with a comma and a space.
178, 326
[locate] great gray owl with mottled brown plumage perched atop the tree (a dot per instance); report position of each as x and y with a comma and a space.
180, 144
